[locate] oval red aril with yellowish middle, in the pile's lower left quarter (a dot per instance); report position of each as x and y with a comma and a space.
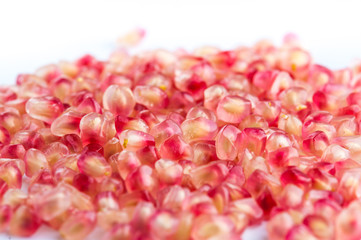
94, 164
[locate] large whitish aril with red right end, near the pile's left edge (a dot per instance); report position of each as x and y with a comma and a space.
46, 108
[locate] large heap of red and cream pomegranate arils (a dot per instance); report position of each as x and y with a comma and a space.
184, 145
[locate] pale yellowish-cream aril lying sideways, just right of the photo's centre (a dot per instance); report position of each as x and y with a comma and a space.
200, 128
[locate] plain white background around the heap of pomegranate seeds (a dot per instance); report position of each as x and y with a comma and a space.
35, 33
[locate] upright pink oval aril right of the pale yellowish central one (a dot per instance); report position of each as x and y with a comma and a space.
228, 140
